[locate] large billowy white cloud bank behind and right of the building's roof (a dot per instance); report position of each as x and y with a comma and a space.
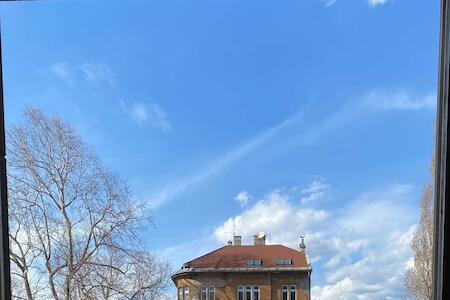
361, 249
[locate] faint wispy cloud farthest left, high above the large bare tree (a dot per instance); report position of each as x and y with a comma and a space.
94, 73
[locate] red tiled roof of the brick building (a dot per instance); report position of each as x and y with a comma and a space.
237, 256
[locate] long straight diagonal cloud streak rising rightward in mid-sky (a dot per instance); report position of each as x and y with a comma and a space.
215, 166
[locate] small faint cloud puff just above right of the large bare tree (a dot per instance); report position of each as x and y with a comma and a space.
142, 113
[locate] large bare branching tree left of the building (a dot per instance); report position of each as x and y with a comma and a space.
74, 224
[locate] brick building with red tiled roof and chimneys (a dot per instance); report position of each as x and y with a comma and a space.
246, 272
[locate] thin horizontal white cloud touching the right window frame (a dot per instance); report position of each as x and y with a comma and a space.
379, 100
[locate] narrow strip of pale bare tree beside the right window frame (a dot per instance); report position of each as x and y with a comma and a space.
418, 279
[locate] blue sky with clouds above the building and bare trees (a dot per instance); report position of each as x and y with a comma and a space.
302, 117
